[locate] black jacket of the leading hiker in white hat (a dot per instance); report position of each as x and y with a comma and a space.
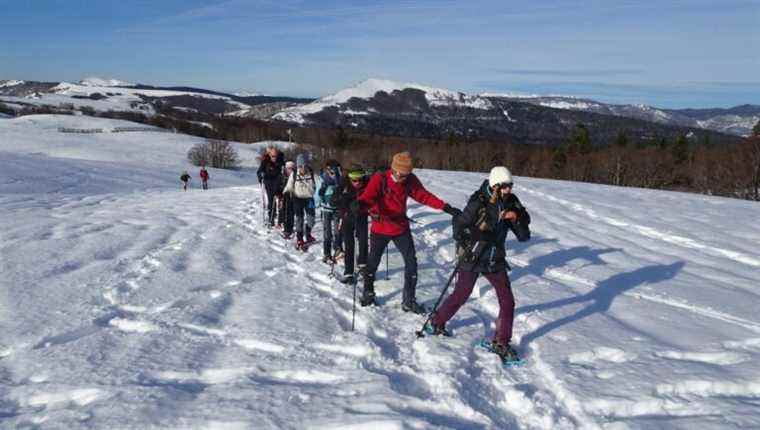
479, 229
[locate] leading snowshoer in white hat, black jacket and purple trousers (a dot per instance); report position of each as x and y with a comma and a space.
480, 232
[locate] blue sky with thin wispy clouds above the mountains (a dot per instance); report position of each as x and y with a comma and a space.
669, 53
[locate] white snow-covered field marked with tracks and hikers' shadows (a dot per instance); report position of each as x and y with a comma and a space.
127, 303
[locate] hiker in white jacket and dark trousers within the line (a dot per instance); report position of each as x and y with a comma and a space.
301, 186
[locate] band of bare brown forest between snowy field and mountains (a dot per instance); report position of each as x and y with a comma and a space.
683, 163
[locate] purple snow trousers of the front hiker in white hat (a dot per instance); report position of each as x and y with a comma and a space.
462, 291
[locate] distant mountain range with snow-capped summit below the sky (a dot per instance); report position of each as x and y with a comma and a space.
386, 107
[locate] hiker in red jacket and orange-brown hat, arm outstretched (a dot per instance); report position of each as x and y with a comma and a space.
386, 196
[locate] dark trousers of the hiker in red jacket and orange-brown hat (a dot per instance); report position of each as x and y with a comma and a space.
405, 245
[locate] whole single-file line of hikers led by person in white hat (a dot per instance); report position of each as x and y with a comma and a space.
350, 199
